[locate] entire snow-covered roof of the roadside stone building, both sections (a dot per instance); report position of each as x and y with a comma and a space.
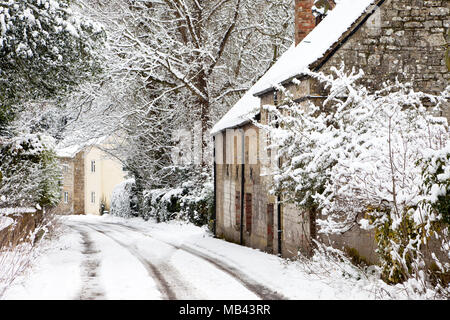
295, 60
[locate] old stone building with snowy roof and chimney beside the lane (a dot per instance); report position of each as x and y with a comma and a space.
388, 39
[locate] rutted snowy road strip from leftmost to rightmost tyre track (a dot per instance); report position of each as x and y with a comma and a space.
159, 268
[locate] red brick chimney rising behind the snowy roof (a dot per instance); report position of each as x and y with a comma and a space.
305, 20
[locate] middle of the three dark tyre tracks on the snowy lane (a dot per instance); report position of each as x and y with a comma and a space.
168, 281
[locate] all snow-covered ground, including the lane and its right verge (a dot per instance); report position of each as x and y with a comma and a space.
115, 258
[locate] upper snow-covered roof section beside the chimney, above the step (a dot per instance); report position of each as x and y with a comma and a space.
314, 46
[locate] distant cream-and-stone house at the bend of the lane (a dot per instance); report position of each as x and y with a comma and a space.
89, 177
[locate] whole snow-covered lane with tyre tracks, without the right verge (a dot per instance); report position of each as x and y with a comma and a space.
103, 259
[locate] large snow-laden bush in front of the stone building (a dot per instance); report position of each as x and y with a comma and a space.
377, 155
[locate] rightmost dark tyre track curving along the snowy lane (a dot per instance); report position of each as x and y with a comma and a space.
262, 291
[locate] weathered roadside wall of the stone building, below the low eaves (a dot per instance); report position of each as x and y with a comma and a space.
260, 208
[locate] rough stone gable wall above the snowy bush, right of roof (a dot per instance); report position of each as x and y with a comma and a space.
404, 39
